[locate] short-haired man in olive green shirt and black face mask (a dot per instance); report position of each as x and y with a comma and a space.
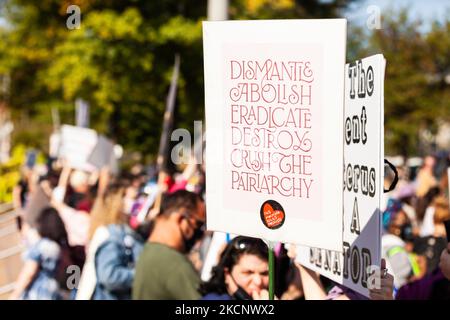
163, 272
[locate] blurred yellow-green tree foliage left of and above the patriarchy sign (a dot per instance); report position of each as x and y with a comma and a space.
120, 61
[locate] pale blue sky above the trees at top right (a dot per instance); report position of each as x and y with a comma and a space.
427, 10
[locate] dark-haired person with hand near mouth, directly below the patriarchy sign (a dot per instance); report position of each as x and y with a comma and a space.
241, 274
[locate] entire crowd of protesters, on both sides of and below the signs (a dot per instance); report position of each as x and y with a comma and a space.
142, 235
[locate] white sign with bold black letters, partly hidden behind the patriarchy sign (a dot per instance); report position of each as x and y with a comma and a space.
363, 180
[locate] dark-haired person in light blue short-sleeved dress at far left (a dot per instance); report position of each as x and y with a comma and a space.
40, 275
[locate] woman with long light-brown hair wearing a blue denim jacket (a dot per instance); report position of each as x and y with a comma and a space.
113, 250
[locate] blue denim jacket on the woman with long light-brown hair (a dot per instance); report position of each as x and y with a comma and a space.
115, 261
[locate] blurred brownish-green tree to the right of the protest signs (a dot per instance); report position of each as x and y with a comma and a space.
416, 95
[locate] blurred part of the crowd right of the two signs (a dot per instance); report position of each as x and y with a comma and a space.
415, 243
